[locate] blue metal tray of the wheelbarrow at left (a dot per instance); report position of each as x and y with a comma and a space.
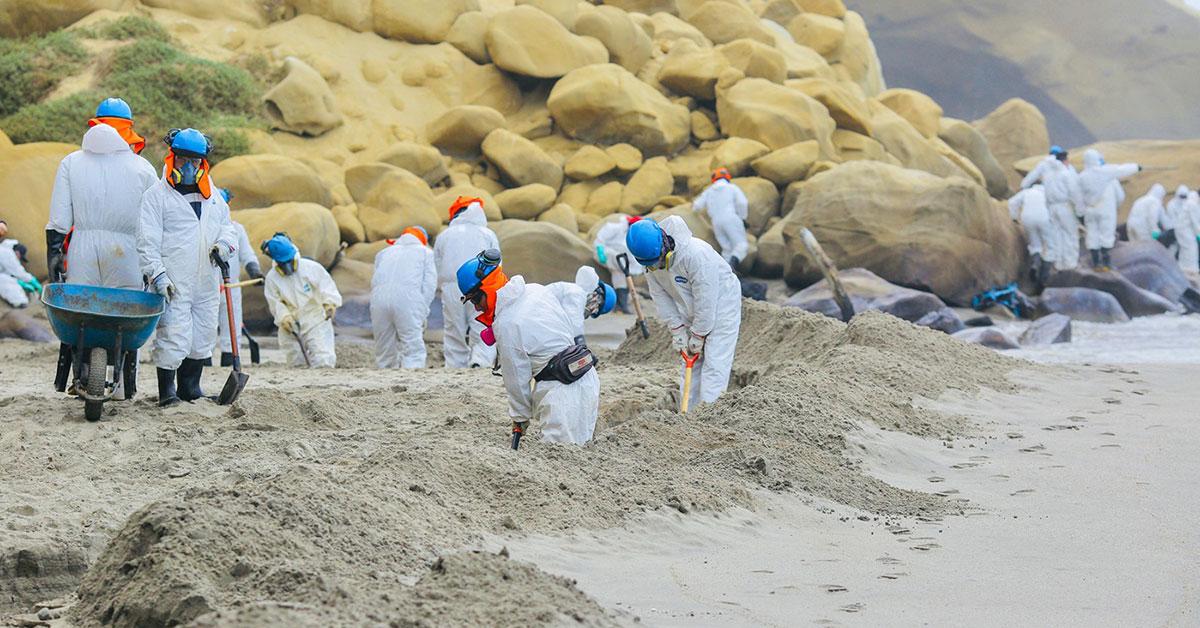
92, 316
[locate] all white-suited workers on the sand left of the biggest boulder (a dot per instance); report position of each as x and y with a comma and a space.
115, 223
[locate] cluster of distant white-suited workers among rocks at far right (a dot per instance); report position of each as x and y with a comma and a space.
1055, 198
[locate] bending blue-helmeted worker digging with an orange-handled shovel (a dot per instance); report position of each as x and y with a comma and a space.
697, 295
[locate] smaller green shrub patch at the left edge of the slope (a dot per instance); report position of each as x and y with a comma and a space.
32, 68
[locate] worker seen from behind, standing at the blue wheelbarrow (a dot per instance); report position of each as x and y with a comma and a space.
97, 200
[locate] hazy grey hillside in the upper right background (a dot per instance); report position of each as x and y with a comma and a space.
1097, 69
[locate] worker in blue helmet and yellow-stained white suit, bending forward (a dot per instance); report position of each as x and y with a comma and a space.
303, 300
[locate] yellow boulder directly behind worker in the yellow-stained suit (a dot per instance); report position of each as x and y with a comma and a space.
310, 226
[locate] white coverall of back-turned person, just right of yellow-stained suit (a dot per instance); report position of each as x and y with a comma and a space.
403, 290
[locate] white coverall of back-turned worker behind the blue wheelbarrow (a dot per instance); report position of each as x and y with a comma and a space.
99, 192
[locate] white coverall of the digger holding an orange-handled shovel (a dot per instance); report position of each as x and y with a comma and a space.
701, 292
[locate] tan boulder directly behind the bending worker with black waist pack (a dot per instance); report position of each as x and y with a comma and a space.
542, 253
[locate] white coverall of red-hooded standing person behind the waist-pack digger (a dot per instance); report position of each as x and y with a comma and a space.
464, 240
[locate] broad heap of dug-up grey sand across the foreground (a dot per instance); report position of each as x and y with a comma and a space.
323, 498
